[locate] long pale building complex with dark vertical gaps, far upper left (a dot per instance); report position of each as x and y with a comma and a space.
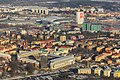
33, 9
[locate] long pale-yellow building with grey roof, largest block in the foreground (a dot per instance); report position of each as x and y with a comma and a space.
61, 62
